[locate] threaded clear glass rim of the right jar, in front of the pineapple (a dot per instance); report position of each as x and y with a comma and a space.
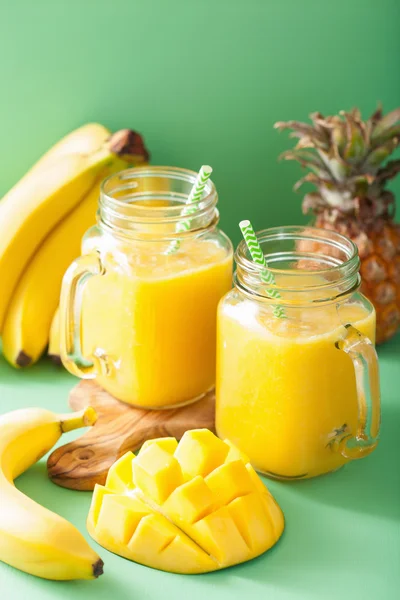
335, 279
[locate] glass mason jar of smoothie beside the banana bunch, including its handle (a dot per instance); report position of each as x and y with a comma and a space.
138, 308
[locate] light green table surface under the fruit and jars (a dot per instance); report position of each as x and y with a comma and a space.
342, 537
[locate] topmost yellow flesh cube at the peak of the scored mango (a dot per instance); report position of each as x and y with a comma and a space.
199, 452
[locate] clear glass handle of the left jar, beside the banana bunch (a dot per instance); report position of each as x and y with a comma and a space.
75, 278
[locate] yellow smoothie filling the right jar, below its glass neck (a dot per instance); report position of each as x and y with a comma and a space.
283, 387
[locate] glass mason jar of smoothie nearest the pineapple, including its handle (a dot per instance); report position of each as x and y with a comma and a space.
297, 374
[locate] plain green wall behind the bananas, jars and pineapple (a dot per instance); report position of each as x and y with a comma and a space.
204, 81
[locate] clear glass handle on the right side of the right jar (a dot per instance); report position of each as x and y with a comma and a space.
363, 354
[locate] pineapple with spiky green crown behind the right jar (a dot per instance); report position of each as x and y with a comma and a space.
347, 161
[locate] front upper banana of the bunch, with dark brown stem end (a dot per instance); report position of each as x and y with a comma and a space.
30, 211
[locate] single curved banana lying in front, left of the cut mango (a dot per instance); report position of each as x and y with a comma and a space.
32, 538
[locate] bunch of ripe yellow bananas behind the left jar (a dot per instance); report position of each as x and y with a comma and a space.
42, 221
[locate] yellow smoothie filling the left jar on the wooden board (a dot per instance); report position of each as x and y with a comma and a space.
154, 315
